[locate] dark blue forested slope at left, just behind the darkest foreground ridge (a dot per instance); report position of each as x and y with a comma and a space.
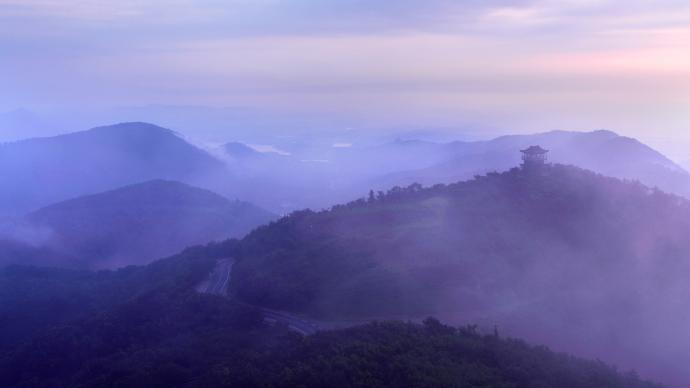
34, 299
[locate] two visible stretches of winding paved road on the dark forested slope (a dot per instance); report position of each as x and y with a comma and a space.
217, 284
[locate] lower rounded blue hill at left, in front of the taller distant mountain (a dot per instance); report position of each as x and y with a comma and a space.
138, 223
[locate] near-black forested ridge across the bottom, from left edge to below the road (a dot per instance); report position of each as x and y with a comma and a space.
176, 338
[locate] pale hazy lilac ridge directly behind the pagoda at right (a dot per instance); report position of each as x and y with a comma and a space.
601, 151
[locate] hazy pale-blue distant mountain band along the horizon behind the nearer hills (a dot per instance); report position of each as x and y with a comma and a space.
40, 171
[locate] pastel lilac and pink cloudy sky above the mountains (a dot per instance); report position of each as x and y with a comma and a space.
497, 66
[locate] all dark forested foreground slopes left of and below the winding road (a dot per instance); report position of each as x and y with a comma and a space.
145, 327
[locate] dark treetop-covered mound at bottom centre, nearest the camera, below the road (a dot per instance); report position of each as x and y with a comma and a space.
398, 354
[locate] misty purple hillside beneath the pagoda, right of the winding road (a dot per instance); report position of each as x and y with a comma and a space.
586, 263
